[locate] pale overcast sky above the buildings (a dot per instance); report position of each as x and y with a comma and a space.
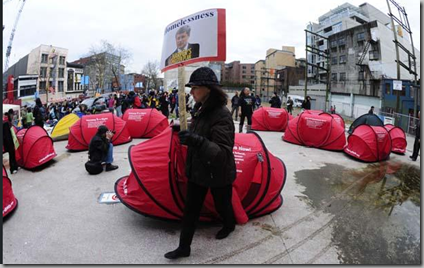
253, 26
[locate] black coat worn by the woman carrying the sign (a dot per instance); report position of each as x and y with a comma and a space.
212, 163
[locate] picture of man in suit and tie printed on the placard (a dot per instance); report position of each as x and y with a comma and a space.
185, 50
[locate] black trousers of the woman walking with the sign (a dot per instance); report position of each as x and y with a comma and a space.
194, 202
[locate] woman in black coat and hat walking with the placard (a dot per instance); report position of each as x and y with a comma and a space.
210, 161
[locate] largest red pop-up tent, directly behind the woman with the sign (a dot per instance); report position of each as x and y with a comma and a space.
156, 186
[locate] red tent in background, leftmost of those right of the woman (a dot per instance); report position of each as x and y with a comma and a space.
270, 119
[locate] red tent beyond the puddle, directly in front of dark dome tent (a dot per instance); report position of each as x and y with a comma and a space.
369, 143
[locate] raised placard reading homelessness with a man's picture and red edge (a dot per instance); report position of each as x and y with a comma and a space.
197, 37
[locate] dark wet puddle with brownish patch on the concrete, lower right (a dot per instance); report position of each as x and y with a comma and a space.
376, 209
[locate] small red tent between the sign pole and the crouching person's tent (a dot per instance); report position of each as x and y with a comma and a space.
145, 123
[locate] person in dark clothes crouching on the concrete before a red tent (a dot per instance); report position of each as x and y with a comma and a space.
101, 149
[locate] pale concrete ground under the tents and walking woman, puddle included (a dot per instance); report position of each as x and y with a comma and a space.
329, 216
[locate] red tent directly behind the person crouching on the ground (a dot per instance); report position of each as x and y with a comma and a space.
83, 131
